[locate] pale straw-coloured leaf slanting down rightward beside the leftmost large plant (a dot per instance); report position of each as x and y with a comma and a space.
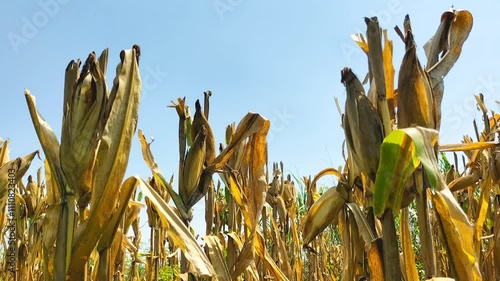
179, 233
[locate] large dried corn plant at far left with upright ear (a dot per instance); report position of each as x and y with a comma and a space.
85, 198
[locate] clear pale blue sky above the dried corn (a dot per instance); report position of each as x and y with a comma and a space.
278, 58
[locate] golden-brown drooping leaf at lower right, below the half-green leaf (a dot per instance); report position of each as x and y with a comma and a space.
458, 235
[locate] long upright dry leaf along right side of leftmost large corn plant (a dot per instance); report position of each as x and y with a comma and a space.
112, 156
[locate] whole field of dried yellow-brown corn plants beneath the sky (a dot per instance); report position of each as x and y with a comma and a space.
399, 209
